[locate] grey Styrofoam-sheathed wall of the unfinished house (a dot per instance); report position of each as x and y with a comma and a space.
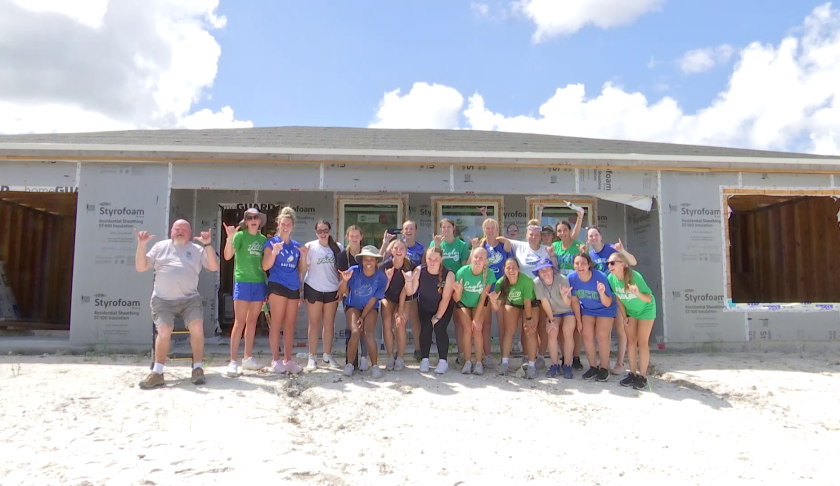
687, 218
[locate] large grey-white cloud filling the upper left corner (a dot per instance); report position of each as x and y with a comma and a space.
107, 65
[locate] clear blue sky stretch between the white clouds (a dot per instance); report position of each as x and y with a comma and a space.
329, 63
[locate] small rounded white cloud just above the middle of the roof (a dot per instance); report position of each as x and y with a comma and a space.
425, 106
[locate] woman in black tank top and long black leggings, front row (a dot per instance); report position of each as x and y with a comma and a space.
434, 285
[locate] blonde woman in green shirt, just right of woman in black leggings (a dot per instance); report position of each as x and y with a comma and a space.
472, 284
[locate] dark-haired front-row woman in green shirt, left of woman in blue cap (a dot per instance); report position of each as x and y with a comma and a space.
515, 291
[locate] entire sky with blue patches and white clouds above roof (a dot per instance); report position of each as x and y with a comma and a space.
747, 73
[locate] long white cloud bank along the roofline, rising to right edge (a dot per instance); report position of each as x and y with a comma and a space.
784, 97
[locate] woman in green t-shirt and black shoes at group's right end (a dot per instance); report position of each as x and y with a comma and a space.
637, 310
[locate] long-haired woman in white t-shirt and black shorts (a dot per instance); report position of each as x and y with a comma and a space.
320, 287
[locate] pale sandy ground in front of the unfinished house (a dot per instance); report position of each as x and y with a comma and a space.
758, 418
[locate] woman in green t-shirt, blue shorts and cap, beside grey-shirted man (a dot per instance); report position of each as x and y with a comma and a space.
249, 288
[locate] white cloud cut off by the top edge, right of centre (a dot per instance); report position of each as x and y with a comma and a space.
556, 17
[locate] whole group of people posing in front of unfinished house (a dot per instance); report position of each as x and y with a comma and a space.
557, 293
